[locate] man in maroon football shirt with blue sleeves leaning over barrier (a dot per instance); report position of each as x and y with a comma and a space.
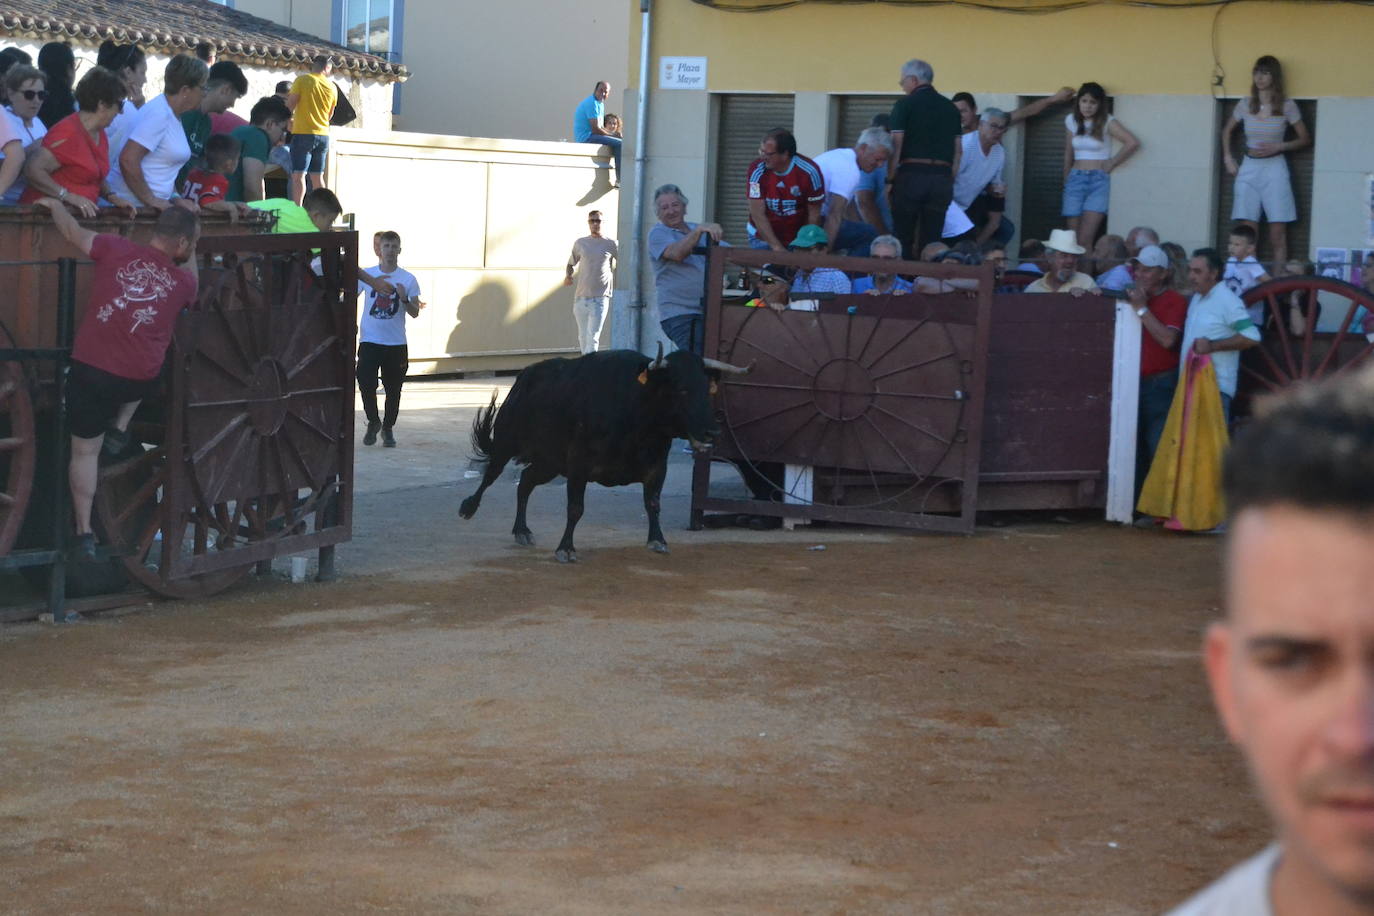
785, 193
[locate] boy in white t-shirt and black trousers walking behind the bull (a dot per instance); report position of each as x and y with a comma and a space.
383, 337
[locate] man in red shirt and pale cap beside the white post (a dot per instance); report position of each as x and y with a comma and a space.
1163, 314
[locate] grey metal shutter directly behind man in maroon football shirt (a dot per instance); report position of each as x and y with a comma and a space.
744, 122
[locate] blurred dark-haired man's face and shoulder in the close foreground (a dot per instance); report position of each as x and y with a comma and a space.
1292, 665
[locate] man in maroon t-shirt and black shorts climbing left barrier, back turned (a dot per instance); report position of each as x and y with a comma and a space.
137, 295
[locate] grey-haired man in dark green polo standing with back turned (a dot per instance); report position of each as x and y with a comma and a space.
927, 150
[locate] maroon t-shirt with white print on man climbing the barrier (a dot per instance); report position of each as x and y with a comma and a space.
137, 296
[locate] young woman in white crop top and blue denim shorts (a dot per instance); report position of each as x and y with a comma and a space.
1089, 163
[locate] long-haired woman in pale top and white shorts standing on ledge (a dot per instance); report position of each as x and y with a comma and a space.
1262, 182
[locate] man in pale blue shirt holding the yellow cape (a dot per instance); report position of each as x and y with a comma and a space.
1218, 325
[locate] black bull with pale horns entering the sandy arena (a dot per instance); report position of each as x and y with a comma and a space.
605, 418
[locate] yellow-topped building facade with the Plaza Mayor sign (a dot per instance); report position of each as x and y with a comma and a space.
1173, 71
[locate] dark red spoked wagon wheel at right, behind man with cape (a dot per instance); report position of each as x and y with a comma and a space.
1284, 356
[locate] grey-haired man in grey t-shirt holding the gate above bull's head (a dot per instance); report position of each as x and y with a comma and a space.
679, 270
